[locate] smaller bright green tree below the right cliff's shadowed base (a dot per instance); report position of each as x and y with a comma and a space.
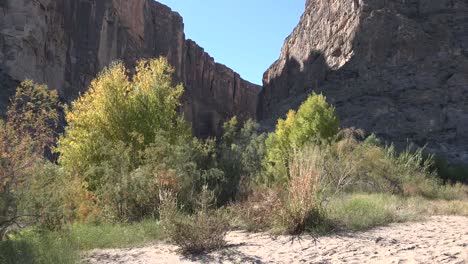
315, 122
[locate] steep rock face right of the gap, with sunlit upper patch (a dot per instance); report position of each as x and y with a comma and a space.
397, 68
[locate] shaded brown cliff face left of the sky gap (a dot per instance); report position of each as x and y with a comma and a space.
65, 43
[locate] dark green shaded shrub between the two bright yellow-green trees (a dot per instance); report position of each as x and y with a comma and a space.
239, 155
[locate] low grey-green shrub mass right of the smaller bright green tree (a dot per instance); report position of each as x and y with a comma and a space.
371, 166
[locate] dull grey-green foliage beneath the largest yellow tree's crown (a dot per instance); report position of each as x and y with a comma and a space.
125, 193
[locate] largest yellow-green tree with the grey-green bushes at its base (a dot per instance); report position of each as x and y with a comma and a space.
125, 141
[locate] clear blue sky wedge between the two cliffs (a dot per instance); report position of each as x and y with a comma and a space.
245, 35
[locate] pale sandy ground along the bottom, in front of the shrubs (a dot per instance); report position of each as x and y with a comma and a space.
441, 239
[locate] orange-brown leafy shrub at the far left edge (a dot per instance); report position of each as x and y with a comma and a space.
25, 136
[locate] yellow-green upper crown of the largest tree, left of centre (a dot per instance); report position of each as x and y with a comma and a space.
117, 110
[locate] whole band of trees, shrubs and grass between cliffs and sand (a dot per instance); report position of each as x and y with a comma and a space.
128, 155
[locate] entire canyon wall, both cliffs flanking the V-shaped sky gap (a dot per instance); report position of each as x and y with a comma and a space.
397, 68
